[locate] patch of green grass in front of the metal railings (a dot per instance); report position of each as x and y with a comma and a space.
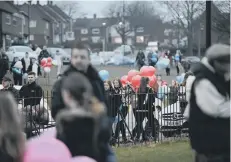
165, 152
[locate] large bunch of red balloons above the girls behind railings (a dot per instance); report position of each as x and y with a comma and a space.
135, 76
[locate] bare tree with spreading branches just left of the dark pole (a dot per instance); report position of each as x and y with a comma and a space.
184, 13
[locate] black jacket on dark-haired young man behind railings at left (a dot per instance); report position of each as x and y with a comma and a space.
32, 94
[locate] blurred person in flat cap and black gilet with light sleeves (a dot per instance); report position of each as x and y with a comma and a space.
208, 110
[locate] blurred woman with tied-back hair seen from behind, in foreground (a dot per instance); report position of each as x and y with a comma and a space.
77, 94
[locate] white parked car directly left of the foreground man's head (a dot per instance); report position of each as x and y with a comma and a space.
66, 56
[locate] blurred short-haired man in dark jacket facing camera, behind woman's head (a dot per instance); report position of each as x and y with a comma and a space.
80, 63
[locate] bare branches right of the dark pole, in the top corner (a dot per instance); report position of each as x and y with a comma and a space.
221, 19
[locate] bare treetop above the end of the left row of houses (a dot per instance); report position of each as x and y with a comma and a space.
69, 7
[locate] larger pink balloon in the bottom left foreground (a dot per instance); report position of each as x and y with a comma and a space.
46, 150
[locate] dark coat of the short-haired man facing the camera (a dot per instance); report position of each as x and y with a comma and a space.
57, 104
